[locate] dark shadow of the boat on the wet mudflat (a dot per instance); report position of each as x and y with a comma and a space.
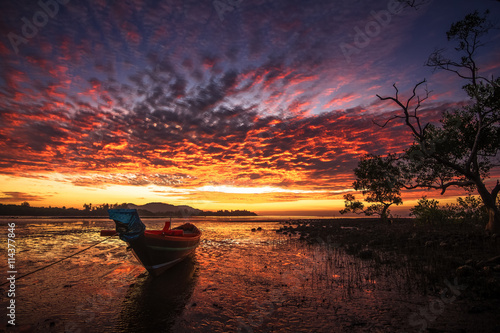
152, 304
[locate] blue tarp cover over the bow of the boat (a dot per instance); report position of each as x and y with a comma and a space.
128, 223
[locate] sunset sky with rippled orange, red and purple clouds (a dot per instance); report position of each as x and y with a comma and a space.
232, 104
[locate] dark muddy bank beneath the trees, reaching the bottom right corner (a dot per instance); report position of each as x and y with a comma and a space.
431, 255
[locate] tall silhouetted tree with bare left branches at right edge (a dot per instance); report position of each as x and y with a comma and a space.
464, 148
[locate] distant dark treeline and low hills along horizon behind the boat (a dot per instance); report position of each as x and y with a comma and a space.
11, 210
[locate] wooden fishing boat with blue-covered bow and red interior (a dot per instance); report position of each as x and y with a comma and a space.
156, 250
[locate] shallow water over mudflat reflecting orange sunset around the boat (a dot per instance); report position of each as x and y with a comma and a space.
237, 280
